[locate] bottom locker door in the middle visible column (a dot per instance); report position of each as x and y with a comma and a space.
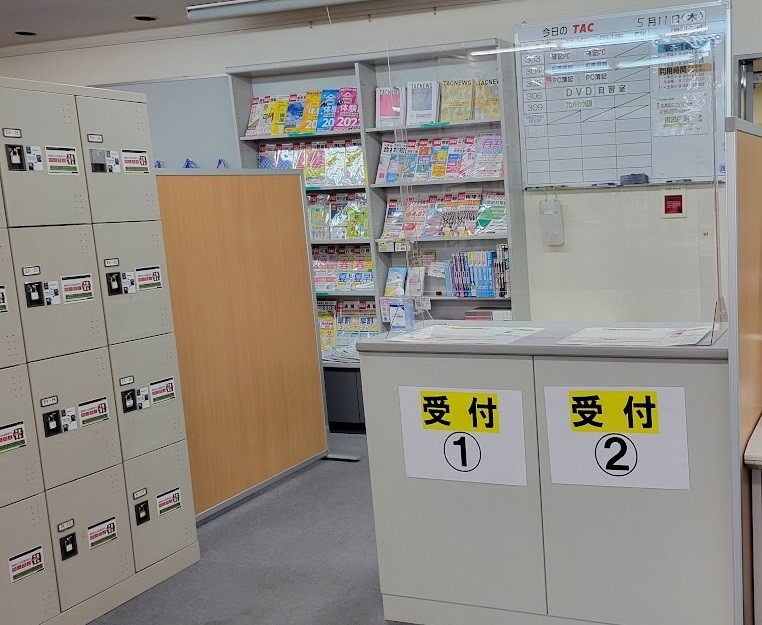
91, 535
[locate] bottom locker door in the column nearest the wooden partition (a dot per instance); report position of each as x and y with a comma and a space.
160, 499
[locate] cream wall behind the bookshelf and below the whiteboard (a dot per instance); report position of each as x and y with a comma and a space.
621, 260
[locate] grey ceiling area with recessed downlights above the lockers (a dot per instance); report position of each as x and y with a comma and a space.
64, 19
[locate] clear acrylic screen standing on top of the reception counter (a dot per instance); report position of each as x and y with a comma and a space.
466, 236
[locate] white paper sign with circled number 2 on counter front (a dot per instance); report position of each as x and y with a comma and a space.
627, 437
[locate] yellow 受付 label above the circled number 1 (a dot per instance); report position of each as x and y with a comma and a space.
460, 411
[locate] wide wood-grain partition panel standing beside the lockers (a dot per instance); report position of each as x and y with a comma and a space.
239, 266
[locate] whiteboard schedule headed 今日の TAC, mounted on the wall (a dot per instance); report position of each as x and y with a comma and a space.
623, 95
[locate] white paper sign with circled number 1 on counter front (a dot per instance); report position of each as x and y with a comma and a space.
463, 435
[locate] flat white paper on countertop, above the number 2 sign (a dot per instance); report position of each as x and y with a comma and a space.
638, 337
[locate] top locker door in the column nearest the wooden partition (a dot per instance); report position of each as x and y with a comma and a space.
118, 160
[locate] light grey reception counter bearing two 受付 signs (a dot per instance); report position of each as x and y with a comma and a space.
532, 483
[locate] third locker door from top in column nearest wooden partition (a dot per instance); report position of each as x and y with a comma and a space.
147, 390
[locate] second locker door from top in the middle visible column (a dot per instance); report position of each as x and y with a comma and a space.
58, 290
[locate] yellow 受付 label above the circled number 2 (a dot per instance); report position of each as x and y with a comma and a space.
635, 411
